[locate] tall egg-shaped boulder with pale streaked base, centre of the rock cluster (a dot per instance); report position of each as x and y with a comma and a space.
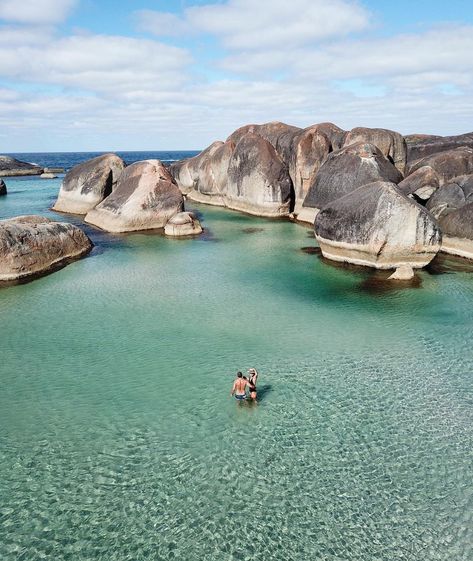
258, 179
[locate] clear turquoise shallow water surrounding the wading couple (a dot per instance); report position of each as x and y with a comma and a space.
119, 441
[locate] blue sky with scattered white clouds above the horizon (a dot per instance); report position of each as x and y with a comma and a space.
86, 75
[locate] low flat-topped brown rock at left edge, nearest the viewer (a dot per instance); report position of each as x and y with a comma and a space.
34, 245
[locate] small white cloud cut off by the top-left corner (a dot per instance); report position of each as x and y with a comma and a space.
36, 11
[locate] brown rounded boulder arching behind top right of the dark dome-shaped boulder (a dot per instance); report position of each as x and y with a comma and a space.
391, 144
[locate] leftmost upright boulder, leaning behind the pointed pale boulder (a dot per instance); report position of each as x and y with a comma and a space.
87, 184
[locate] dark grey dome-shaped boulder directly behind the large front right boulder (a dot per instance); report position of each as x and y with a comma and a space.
346, 170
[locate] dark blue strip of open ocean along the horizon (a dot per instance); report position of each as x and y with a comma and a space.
67, 160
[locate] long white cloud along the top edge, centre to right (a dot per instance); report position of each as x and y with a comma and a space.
248, 25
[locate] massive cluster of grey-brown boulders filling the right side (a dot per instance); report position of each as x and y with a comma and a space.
374, 197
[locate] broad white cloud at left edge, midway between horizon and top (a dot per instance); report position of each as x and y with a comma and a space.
98, 63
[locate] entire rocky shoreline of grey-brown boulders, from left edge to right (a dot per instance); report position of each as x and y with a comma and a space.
373, 197
